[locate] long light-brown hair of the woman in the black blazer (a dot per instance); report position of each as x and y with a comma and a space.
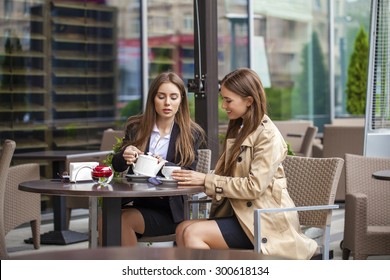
142, 125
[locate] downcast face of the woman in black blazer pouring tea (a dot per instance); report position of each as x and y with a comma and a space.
167, 100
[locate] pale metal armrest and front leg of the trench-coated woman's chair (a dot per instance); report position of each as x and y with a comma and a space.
257, 212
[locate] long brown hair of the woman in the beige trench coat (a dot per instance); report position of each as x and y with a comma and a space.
244, 82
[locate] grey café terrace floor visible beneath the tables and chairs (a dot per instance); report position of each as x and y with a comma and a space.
16, 246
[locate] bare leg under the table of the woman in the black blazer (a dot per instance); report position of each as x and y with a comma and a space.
132, 222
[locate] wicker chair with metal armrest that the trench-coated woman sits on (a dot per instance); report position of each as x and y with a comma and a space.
312, 184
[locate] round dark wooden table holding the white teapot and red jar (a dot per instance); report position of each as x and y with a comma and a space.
112, 195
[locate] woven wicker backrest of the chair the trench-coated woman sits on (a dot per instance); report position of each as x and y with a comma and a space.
312, 181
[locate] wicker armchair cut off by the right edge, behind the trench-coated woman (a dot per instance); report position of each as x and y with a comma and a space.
367, 208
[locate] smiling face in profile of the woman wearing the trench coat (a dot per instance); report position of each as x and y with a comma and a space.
234, 105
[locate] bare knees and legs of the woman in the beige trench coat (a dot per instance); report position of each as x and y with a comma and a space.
201, 234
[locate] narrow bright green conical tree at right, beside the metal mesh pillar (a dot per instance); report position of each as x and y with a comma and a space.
357, 75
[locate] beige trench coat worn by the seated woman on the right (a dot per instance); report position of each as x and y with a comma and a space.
259, 182
